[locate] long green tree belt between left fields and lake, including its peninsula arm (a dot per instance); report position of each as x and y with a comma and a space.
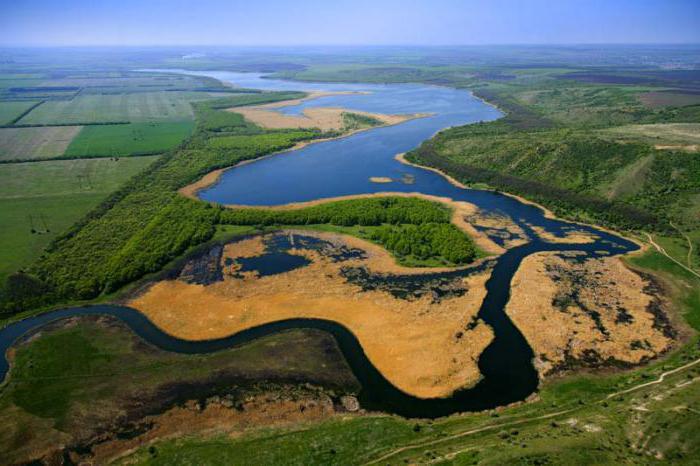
146, 224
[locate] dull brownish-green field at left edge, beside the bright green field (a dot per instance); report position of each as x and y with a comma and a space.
35, 143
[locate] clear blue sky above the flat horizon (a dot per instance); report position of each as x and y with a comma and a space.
346, 22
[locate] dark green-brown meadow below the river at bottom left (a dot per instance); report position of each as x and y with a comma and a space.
66, 385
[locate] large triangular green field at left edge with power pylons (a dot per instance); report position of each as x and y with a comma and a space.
52, 196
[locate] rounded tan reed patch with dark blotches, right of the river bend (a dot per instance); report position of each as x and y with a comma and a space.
586, 314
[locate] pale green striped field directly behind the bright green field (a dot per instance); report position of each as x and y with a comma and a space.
134, 107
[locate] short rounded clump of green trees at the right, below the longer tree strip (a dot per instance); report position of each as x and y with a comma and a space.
442, 241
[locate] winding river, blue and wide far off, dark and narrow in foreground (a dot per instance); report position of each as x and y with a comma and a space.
343, 167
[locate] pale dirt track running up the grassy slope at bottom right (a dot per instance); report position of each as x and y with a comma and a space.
504, 425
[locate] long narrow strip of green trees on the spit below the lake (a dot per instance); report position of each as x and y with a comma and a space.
367, 212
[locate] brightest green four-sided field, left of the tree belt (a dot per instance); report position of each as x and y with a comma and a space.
134, 138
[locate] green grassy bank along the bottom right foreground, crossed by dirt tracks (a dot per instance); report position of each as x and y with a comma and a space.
574, 420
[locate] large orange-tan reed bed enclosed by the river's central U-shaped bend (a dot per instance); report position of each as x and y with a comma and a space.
421, 346
